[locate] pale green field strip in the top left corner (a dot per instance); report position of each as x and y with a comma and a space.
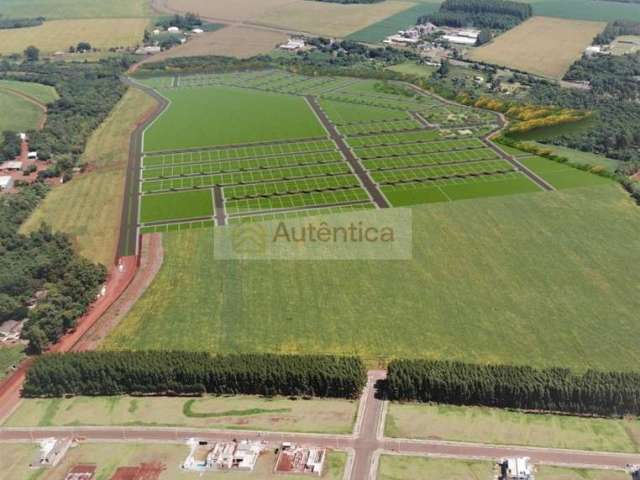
57, 9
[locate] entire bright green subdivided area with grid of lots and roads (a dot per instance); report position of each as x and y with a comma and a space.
218, 137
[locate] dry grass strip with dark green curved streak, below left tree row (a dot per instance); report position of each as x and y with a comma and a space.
236, 412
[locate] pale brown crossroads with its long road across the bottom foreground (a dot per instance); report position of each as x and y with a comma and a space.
364, 445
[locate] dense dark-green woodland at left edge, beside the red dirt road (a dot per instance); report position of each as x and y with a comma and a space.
41, 278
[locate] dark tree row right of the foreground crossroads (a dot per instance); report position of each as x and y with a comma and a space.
520, 387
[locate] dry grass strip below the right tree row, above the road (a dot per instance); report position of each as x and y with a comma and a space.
496, 426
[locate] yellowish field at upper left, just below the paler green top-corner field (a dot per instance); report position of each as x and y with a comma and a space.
58, 35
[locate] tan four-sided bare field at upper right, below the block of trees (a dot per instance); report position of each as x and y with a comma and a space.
541, 45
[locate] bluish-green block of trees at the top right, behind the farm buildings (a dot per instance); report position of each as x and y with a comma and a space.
492, 14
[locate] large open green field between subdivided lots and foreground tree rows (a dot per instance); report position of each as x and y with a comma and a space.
538, 279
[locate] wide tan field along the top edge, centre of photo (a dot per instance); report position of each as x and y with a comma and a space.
298, 15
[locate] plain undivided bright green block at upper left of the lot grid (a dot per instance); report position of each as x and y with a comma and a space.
205, 116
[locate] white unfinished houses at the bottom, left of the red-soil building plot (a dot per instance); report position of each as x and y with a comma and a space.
204, 456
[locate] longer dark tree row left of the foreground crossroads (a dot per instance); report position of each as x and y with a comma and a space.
194, 373
